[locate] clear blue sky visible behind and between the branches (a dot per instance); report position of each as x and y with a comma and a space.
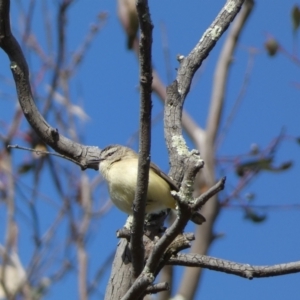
106, 87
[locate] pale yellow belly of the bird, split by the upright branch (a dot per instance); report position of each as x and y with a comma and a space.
122, 179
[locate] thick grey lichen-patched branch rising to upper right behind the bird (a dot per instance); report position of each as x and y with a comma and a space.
178, 90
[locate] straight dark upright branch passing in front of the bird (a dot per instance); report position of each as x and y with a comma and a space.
139, 203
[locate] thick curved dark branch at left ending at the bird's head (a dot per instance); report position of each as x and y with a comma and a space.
19, 68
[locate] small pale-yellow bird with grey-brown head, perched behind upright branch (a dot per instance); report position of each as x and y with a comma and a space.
119, 167
